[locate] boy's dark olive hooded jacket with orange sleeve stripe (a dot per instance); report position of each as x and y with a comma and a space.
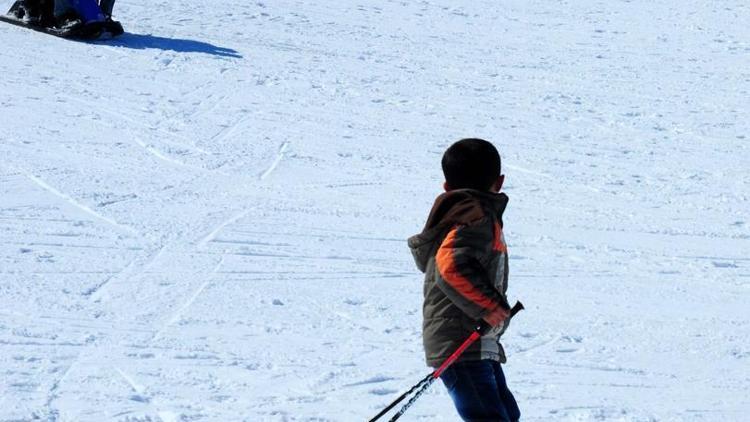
463, 255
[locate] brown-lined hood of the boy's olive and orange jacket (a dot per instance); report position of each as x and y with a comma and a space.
456, 207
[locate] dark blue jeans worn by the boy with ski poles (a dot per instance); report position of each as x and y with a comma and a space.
479, 391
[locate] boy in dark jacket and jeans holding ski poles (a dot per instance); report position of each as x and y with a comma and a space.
463, 255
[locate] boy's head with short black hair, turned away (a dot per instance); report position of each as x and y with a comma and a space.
472, 164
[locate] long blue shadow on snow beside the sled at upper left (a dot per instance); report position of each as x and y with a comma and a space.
142, 42
